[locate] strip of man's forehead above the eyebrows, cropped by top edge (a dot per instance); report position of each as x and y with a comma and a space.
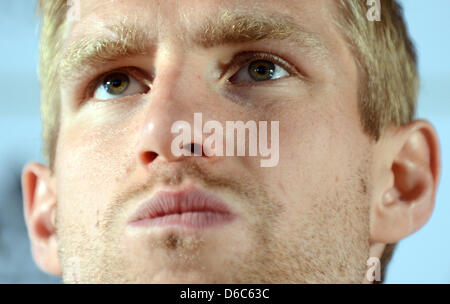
170, 18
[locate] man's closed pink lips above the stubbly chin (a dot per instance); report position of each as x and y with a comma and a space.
190, 208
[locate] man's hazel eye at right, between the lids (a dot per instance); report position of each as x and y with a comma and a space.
259, 70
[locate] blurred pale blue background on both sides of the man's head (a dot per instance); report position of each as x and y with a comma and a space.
422, 258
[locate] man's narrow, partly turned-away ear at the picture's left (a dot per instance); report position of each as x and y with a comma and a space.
39, 198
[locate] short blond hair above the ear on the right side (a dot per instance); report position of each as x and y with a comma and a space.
386, 57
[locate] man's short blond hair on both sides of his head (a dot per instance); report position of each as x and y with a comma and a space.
388, 80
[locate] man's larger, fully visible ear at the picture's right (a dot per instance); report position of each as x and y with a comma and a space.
407, 172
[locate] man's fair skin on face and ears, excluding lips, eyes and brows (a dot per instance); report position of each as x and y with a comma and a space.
335, 198
